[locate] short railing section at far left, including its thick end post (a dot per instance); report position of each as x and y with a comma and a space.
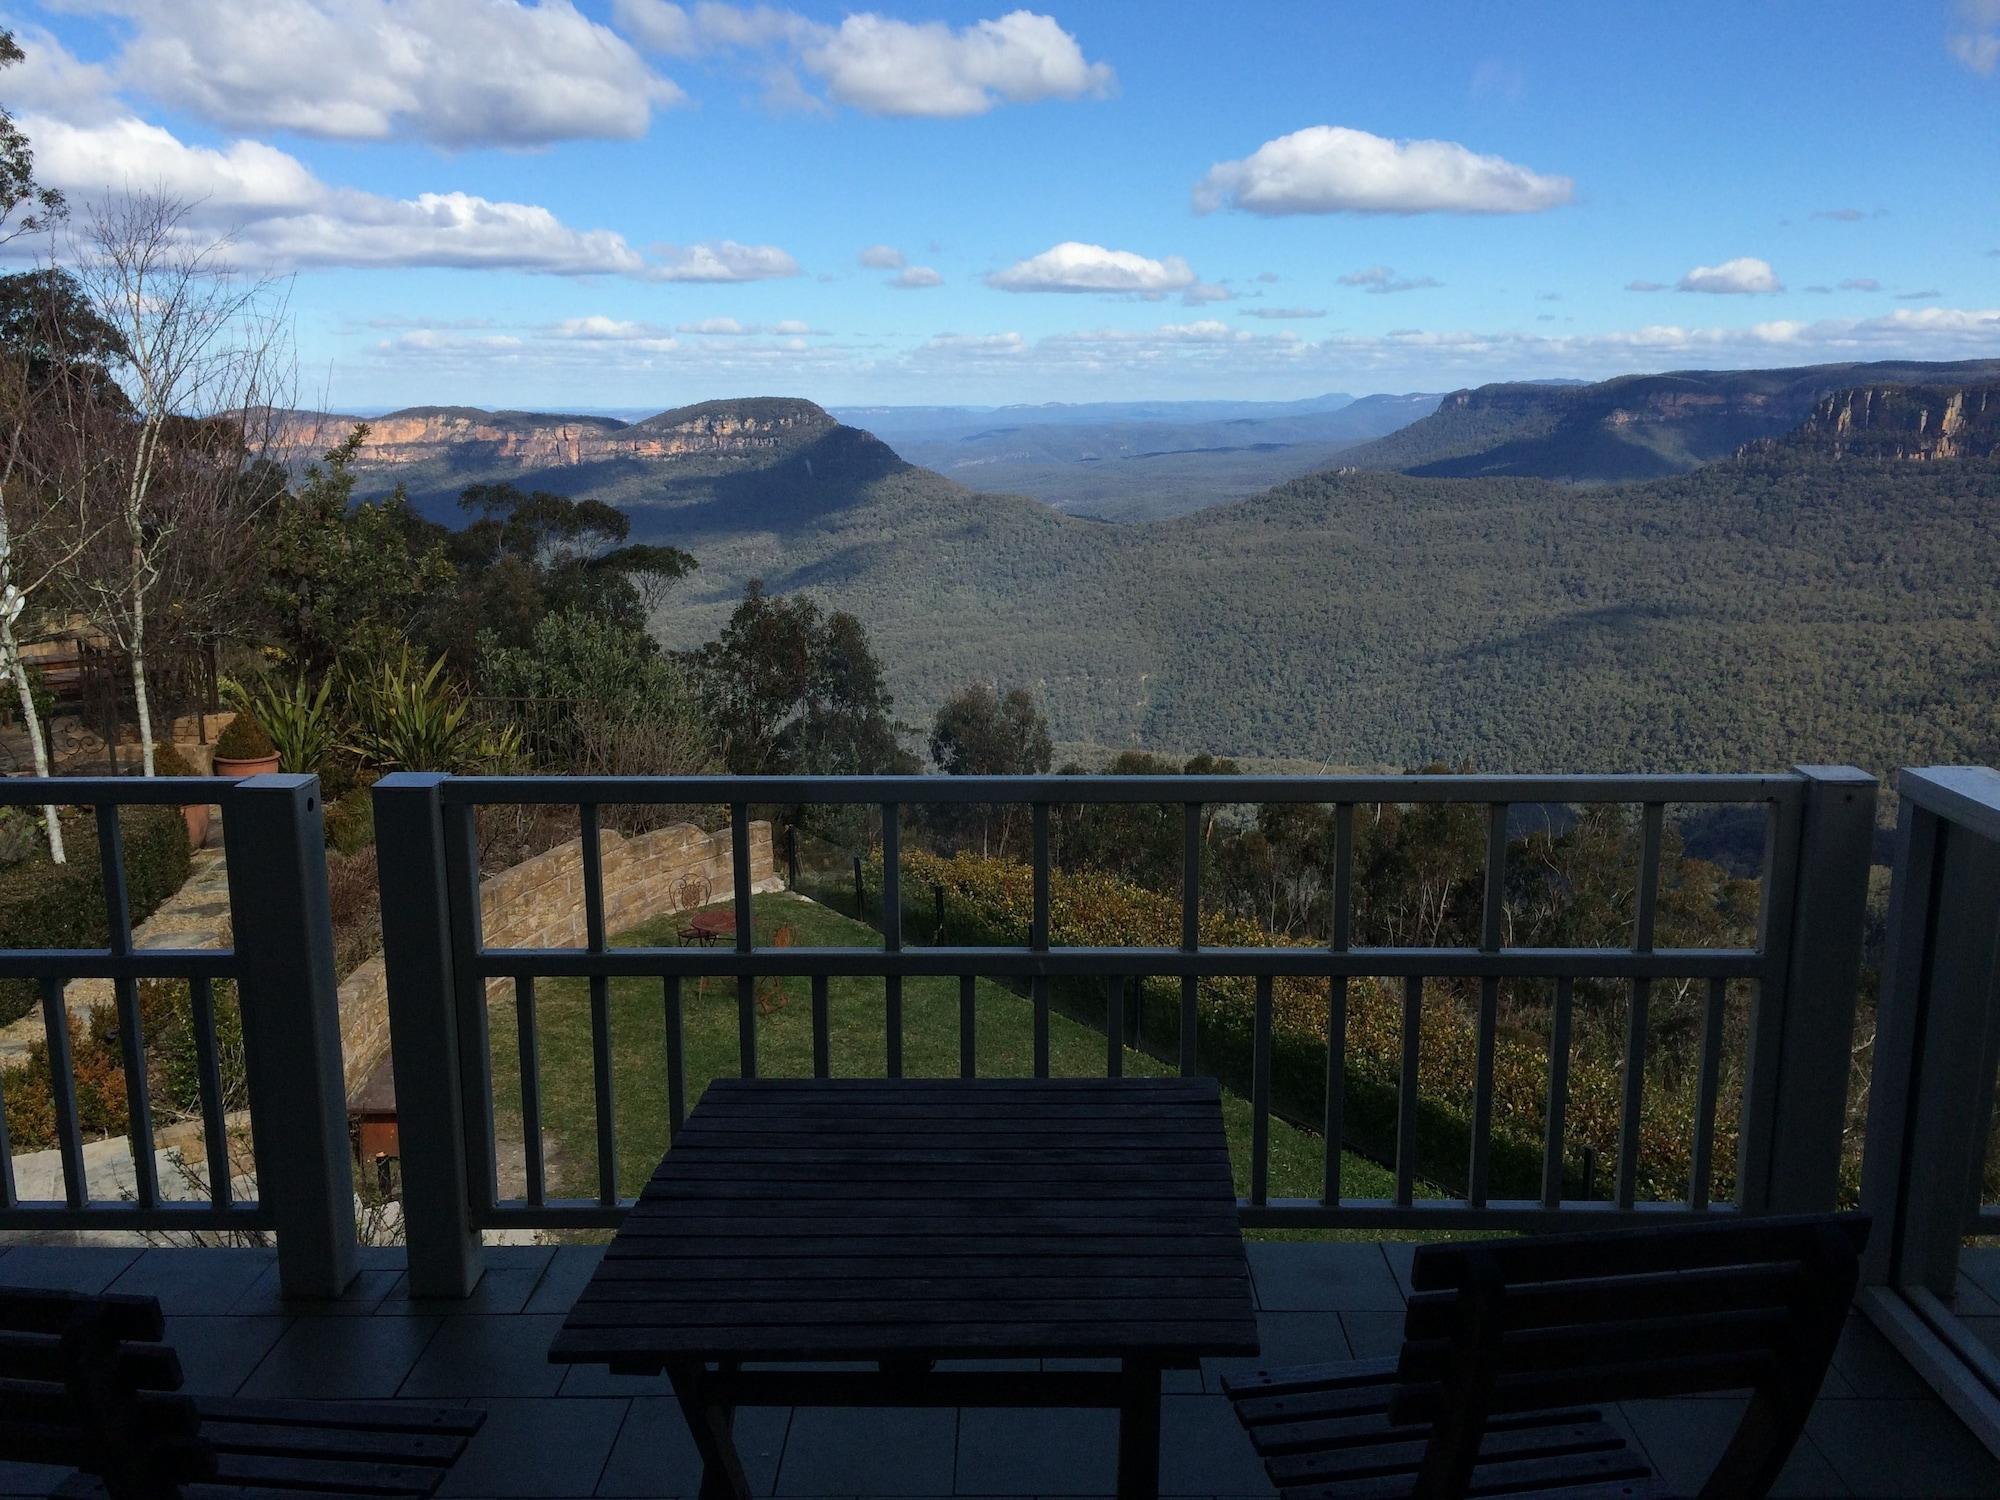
283, 967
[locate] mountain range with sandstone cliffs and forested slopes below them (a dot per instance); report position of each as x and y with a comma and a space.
1819, 591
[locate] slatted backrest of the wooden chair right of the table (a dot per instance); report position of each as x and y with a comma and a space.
1581, 1319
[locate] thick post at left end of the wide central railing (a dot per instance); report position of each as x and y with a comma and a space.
417, 951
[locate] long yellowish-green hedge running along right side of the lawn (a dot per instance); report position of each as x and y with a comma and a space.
991, 903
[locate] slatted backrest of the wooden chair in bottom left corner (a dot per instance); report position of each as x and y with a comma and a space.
87, 1383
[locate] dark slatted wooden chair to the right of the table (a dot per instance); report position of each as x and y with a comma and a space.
1511, 1347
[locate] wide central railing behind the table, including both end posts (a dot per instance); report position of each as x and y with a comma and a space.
1803, 971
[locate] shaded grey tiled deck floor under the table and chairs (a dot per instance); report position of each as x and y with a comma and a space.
581, 1433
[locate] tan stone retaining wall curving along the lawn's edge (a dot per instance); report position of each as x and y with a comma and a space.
541, 905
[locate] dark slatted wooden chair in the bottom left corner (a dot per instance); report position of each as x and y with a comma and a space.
87, 1383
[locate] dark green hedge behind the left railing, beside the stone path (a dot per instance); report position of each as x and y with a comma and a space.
63, 905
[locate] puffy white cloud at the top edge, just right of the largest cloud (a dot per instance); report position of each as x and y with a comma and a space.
881, 65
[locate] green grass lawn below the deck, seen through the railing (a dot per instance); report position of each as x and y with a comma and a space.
1005, 1045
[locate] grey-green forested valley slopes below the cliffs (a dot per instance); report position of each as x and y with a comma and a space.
1747, 615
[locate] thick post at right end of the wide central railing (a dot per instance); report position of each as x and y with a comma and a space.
1793, 1137
